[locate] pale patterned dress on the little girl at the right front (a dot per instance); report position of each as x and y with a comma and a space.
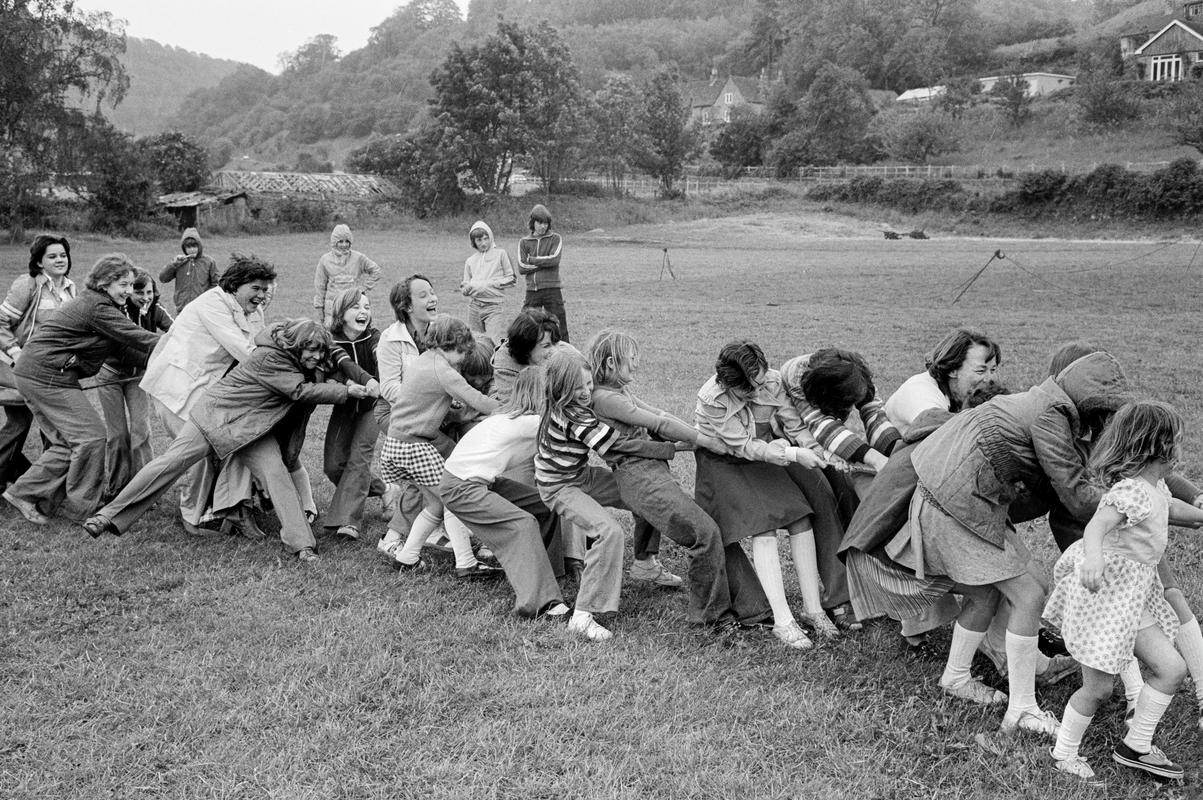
1100, 627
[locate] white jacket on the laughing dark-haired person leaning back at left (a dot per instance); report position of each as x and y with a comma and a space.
211, 334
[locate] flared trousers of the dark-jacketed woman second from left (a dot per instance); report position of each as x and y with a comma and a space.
69, 477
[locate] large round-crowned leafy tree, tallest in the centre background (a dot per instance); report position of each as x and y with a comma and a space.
514, 94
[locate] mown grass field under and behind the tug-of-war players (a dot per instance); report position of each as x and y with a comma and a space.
162, 666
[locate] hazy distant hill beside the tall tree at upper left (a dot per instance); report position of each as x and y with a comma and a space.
161, 78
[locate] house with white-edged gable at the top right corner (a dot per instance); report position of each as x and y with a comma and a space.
1169, 48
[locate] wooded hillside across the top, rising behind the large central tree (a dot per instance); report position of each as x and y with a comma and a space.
384, 88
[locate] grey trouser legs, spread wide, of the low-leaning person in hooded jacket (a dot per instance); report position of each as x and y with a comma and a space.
264, 459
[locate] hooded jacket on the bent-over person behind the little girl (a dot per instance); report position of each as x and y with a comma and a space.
973, 467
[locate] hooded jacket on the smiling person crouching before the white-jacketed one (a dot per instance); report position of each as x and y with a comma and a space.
250, 401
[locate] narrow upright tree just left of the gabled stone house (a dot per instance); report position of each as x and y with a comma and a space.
665, 139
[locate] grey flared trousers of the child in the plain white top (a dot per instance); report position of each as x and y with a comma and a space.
517, 525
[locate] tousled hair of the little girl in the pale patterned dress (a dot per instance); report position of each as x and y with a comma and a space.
1140, 434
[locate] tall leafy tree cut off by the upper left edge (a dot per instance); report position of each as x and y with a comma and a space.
51, 55
